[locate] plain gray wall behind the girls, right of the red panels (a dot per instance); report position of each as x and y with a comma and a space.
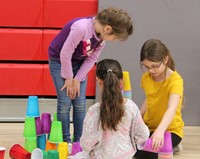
177, 24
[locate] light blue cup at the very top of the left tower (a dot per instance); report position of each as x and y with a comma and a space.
33, 107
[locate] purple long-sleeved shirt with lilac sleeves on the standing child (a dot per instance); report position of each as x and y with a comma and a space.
76, 43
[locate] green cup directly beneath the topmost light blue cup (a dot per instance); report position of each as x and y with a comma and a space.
29, 127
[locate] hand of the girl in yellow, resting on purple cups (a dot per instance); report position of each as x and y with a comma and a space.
157, 140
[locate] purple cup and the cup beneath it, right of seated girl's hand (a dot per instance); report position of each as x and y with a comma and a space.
167, 151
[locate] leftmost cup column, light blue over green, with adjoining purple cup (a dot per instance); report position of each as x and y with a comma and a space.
32, 125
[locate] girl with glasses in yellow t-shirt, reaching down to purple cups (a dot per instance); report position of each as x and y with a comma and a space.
163, 87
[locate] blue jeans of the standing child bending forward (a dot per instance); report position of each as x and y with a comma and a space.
64, 103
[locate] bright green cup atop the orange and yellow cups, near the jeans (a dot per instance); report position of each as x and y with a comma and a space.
56, 132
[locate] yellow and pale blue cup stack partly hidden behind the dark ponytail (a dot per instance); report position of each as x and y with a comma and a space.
126, 85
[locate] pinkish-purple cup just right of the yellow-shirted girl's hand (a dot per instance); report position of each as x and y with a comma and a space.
167, 147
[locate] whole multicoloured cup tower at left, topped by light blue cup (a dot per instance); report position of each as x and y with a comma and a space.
42, 133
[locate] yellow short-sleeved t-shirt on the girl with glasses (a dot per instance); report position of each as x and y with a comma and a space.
157, 96
